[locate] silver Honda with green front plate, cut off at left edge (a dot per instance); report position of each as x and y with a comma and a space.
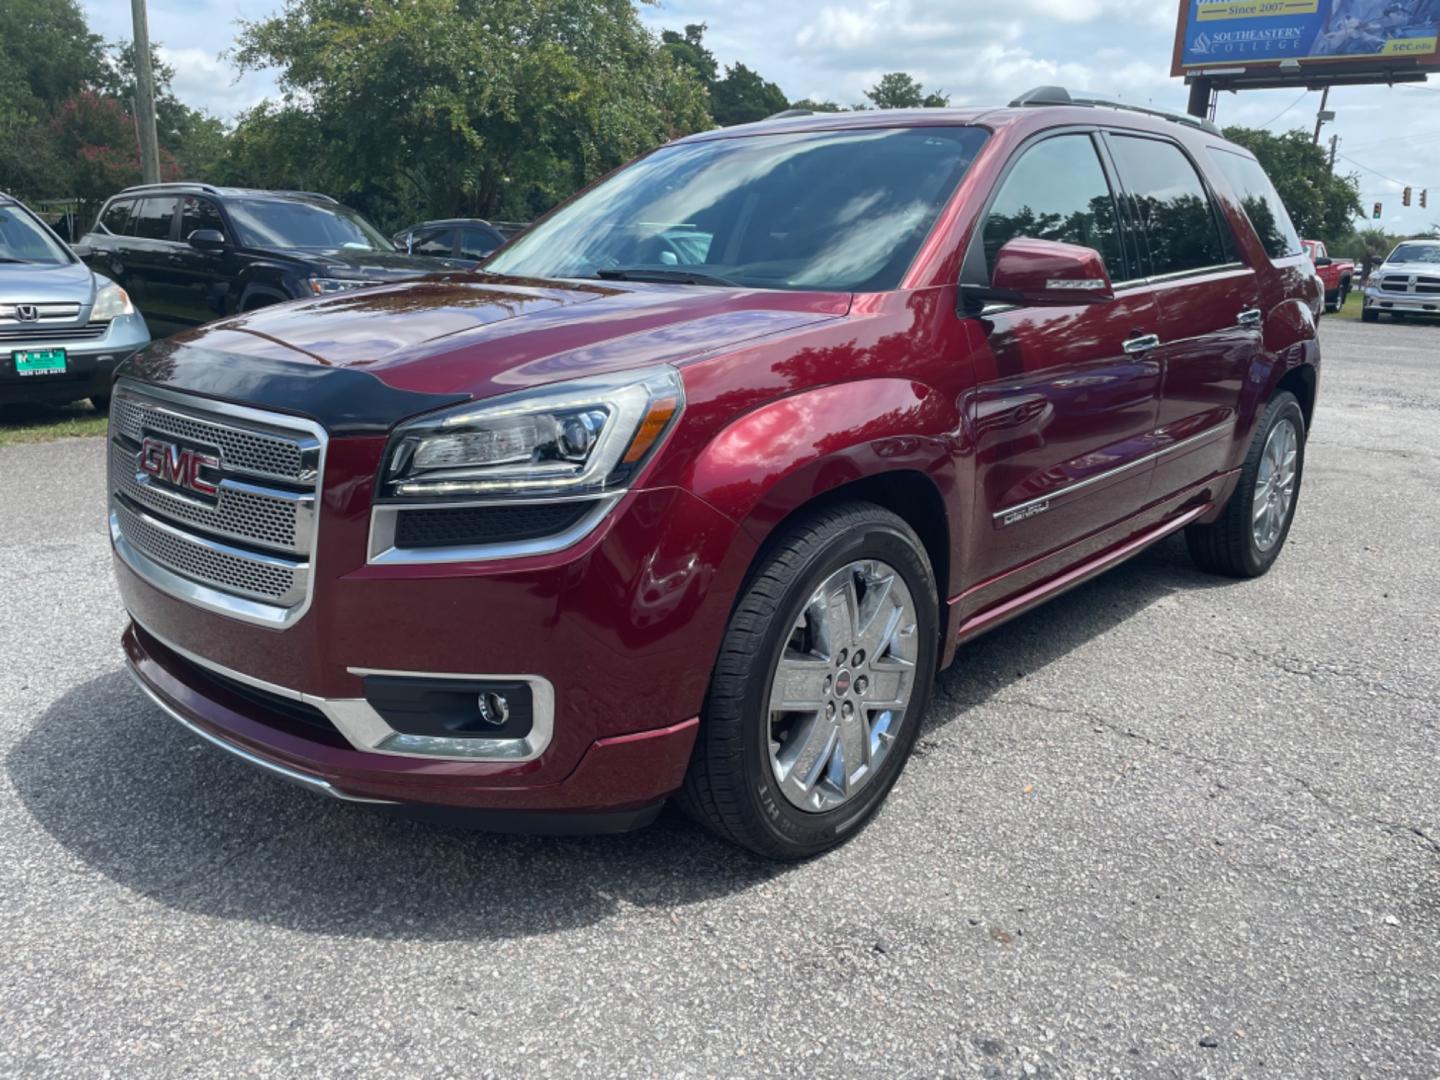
64, 329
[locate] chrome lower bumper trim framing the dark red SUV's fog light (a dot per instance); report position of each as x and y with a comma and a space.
366, 731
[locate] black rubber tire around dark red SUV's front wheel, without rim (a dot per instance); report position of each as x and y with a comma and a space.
731, 787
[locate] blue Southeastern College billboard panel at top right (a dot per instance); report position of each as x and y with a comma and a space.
1308, 34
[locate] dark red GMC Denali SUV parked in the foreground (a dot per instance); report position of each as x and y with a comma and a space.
695, 487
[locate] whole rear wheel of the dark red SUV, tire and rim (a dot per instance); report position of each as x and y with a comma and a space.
1252, 531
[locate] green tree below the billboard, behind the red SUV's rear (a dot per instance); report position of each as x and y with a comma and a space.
1321, 204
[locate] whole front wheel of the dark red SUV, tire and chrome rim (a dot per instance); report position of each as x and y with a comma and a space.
820, 688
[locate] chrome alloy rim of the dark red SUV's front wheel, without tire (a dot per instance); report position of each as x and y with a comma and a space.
843, 686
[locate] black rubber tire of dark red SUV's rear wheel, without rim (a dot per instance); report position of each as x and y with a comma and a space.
1229, 546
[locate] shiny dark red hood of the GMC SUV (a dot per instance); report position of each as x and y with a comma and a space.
460, 336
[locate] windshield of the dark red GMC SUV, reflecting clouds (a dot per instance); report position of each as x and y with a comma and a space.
811, 211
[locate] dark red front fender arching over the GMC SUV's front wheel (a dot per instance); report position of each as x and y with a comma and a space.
777, 459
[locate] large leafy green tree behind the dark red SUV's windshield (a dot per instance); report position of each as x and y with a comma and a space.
486, 107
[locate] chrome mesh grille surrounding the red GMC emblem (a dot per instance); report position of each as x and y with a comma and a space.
246, 549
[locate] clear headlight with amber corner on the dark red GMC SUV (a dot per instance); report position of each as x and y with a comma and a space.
580, 438
